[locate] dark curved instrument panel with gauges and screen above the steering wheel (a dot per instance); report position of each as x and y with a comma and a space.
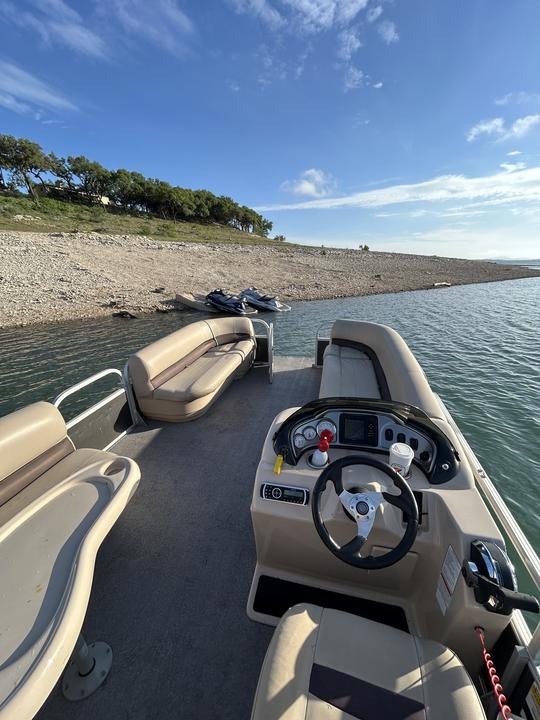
367, 425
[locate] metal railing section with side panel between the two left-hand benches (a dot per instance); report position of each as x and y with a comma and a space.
104, 423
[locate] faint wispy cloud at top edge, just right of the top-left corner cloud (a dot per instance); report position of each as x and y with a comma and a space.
161, 22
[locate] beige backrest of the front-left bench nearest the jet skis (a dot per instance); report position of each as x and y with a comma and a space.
156, 363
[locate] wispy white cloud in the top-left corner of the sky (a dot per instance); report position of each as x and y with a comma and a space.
54, 22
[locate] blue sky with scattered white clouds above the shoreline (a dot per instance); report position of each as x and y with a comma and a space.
409, 125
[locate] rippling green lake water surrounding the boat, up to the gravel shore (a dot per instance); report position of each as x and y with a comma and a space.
479, 346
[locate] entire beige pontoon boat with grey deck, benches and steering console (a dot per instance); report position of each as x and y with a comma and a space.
375, 589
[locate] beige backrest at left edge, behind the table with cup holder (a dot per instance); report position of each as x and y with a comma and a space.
32, 440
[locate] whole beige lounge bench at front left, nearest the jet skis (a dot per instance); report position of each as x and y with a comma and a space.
178, 377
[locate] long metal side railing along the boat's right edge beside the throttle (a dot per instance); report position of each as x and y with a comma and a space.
525, 551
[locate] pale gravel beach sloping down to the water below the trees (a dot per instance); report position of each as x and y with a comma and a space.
64, 276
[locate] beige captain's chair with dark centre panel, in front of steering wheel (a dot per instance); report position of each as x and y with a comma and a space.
329, 665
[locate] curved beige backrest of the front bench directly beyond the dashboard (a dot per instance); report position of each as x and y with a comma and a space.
405, 379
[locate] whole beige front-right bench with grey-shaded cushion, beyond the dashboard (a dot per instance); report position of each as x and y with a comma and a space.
370, 360
